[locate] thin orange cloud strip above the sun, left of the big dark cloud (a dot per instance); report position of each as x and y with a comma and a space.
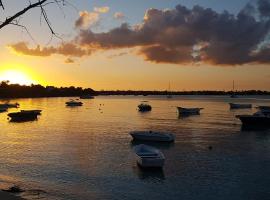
65, 49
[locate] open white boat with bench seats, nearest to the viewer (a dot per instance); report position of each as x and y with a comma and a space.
148, 156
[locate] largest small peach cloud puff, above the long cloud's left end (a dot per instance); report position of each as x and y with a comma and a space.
86, 19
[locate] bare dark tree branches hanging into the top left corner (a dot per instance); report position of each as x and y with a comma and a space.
41, 4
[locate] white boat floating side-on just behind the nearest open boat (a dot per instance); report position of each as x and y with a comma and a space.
154, 136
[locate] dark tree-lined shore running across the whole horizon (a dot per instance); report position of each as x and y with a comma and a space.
35, 91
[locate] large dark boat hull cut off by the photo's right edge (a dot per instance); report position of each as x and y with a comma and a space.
258, 119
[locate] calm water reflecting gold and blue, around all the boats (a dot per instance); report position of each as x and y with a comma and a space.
86, 152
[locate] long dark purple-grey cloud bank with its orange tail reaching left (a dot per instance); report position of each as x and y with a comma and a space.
183, 35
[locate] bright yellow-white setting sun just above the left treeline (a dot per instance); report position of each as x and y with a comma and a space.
16, 77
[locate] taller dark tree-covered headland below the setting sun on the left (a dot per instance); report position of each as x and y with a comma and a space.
21, 91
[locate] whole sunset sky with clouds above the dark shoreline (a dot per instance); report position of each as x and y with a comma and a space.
140, 45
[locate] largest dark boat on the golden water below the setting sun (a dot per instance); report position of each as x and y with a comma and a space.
24, 115
